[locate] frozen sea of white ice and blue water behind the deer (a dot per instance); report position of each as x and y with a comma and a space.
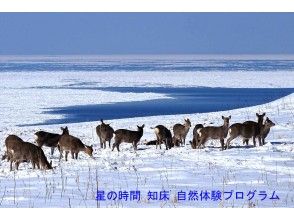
114, 87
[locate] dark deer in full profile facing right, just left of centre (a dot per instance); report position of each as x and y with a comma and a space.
127, 136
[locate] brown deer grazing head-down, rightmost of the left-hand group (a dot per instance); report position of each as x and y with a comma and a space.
74, 145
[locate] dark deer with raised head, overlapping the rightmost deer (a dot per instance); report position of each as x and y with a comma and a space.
247, 130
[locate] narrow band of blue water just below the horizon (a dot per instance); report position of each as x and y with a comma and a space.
184, 63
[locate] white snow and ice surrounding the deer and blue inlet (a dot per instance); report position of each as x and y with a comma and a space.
74, 183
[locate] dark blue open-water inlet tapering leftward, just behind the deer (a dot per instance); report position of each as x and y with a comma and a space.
185, 100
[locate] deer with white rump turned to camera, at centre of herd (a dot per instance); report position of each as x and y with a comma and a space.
163, 135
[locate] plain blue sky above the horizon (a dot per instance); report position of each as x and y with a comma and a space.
146, 33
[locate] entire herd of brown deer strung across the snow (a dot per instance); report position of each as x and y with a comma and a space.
18, 151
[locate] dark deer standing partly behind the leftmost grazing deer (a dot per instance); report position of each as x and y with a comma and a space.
48, 139
